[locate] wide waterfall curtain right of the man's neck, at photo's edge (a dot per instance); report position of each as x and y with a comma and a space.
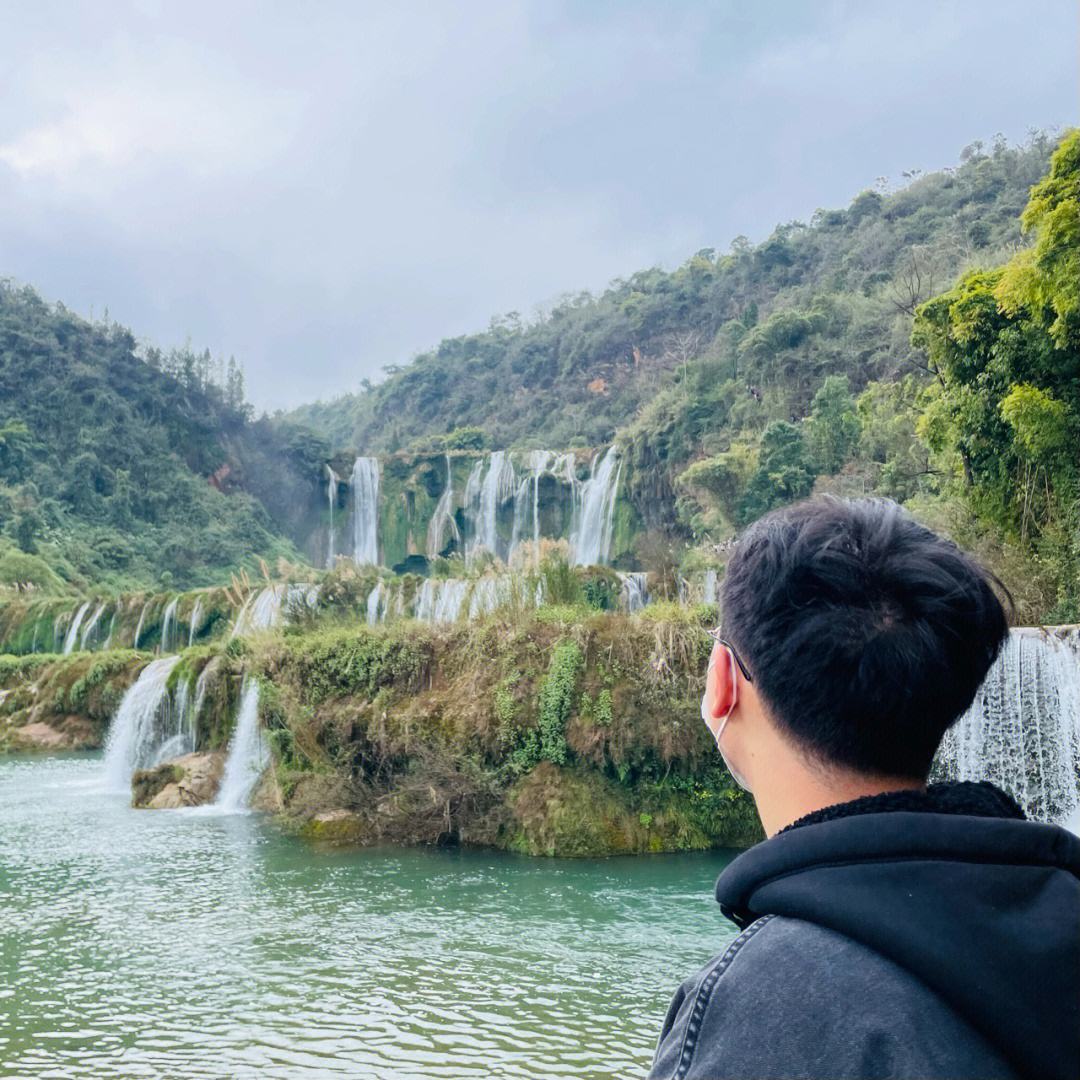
1023, 730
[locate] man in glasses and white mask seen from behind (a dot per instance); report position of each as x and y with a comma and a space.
888, 928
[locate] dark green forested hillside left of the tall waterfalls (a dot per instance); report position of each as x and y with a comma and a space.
123, 470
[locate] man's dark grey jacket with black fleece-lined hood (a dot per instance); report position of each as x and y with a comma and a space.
919, 936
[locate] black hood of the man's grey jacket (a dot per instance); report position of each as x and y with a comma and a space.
985, 911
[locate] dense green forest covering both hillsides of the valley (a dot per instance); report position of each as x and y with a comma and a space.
921, 344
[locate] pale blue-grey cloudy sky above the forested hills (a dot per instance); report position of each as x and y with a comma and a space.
322, 190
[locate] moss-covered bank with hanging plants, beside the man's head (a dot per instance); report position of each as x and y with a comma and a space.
563, 734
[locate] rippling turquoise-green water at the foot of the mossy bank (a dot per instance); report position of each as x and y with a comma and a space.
179, 944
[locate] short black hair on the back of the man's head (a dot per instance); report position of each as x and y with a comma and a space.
867, 634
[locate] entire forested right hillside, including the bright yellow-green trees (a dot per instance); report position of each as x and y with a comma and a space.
833, 357
